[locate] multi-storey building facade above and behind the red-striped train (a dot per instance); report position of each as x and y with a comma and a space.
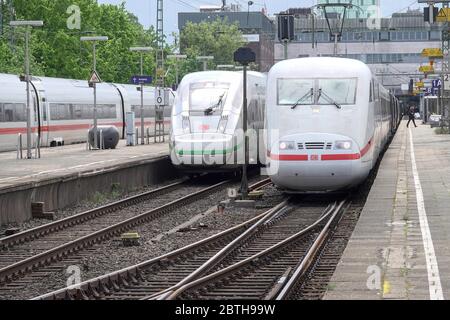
391, 47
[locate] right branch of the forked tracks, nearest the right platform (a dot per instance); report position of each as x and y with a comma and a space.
260, 273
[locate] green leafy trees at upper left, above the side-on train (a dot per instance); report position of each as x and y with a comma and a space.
58, 52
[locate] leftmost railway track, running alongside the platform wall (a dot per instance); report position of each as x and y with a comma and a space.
45, 246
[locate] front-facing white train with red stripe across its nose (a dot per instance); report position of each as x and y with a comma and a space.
328, 120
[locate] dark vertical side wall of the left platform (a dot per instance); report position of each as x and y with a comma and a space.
65, 191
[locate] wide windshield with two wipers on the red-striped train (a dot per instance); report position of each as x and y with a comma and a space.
317, 91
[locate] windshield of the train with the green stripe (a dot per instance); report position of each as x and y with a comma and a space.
207, 98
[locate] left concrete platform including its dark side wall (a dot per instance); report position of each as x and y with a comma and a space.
66, 175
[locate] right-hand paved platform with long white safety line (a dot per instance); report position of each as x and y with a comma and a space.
400, 248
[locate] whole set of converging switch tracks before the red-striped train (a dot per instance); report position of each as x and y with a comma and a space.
173, 274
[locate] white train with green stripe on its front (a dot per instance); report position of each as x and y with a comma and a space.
206, 132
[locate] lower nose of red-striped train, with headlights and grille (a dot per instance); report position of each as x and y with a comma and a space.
316, 162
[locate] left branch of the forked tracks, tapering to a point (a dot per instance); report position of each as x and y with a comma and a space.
153, 276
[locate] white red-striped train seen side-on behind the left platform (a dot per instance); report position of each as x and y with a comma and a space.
62, 109
